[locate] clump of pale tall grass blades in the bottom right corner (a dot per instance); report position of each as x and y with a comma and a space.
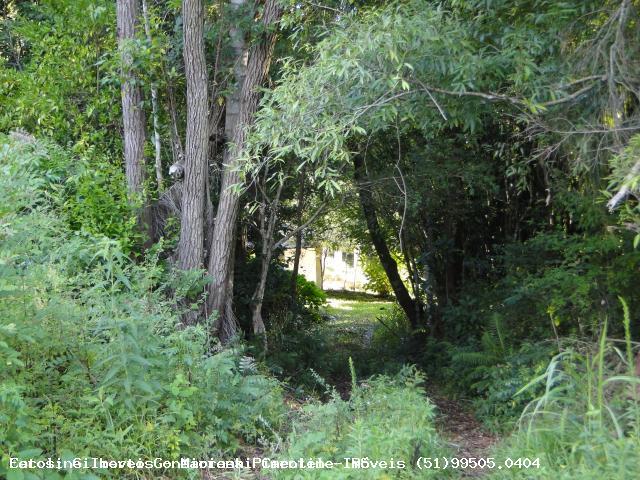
586, 424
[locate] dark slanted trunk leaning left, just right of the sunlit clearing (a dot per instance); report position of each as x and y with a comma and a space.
389, 265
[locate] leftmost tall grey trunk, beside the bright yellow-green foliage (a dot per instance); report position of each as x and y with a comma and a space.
132, 112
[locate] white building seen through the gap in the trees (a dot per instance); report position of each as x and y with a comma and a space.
330, 269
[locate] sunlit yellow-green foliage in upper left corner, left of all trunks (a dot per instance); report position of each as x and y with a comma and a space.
60, 78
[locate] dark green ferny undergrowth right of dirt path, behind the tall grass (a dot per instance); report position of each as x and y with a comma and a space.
557, 284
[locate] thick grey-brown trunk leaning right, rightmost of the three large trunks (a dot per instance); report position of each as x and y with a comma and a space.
241, 109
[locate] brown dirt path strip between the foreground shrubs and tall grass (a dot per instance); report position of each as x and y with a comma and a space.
462, 430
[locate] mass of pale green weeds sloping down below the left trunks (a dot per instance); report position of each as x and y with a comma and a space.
93, 361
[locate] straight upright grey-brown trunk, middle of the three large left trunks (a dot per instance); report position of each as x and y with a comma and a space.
191, 247
